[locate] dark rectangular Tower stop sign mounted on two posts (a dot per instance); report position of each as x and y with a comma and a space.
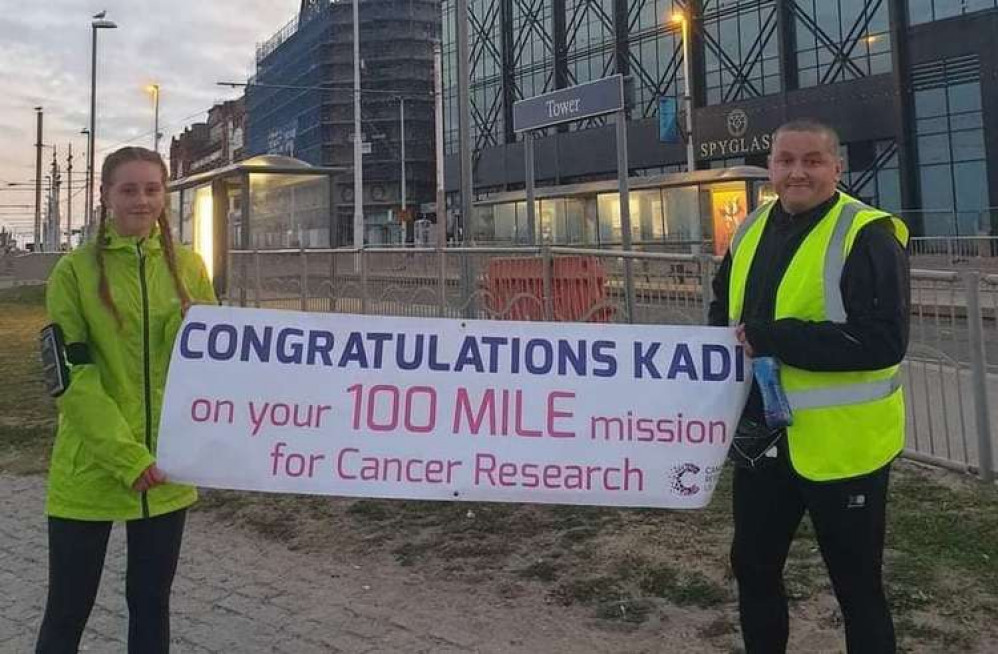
603, 96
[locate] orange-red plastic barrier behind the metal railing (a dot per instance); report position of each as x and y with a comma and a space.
578, 284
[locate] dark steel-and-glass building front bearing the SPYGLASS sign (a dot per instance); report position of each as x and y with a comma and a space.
911, 86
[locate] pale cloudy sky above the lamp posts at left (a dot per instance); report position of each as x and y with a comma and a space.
185, 46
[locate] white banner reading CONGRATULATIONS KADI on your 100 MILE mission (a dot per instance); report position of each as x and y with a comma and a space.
372, 406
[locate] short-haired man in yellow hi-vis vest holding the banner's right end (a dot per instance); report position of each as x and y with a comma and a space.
818, 281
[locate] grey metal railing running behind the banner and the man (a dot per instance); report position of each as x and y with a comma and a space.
951, 372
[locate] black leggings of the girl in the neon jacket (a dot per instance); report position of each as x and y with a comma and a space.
76, 560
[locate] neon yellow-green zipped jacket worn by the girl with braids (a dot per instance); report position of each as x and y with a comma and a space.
109, 416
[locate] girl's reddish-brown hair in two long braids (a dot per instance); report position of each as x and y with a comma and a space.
111, 164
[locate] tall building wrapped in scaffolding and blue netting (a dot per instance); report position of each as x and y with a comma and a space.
300, 103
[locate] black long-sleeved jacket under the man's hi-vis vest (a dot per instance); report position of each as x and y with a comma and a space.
875, 292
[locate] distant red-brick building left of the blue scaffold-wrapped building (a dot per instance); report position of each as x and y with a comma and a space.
212, 144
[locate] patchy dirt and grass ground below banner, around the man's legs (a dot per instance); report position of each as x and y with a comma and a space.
639, 571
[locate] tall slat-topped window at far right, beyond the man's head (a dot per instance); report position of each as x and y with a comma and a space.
953, 177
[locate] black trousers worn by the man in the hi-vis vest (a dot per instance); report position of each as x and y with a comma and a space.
849, 520
